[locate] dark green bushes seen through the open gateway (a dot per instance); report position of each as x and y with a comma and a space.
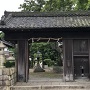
48, 55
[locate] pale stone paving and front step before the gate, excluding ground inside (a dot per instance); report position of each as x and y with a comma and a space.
53, 84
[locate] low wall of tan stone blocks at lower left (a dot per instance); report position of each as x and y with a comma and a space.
7, 76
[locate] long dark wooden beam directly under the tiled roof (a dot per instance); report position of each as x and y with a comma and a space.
47, 33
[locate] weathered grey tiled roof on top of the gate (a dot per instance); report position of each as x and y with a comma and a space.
29, 20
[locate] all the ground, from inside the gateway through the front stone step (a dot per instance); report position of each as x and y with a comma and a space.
51, 81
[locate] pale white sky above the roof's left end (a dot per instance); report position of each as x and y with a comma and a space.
9, 5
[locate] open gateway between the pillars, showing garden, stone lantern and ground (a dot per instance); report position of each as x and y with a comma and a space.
45, 60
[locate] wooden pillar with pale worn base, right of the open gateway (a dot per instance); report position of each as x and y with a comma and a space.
68, 59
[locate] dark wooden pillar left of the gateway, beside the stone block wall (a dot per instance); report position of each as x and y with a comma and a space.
22, 61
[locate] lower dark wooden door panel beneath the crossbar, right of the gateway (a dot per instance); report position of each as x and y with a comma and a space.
81, 67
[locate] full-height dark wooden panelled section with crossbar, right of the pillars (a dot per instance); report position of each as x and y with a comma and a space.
81, 58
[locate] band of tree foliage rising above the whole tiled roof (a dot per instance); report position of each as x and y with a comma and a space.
55, 5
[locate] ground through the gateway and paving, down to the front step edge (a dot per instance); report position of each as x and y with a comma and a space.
51, 79
